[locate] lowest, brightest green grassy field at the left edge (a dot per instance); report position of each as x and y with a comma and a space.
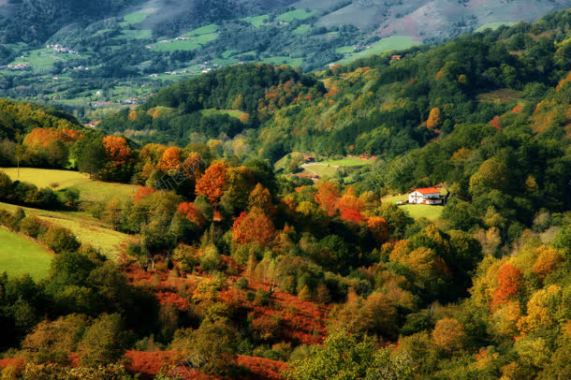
19, 256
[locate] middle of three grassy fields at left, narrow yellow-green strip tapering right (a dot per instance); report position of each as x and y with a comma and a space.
87, 229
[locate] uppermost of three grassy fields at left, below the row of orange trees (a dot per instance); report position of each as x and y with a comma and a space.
90, 190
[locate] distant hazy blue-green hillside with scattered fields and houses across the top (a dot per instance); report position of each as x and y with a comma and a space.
104, 57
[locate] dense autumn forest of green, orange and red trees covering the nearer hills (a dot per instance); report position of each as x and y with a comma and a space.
235, 269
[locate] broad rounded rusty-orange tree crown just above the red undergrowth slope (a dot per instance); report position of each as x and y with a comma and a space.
253, 227
